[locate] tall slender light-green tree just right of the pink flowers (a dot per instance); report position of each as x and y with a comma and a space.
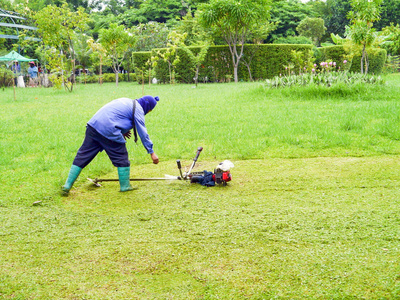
360, 32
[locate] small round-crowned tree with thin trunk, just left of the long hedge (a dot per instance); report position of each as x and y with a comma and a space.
116, 41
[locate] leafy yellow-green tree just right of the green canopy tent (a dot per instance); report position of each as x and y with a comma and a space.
57, 27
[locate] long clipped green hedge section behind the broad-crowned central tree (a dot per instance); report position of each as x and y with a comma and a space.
266, 61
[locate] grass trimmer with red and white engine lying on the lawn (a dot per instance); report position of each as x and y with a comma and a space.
220, 176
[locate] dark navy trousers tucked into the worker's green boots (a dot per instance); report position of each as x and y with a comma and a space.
94, 143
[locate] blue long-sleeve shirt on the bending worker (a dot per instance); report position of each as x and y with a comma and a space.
115, 119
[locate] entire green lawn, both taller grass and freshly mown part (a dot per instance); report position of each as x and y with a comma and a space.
312, 212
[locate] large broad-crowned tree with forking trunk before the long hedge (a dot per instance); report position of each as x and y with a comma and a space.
233, 20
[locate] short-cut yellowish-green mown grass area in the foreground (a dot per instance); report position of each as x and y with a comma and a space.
318, 228
